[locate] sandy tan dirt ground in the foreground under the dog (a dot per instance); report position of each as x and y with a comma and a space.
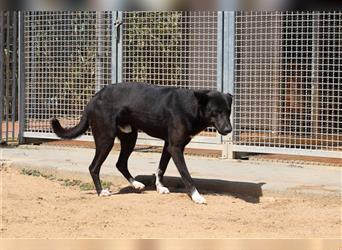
37, 207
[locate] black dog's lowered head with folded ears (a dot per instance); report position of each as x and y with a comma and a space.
216, 109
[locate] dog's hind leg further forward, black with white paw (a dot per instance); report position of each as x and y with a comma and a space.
127, 142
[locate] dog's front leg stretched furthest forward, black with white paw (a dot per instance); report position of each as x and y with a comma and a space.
177, 154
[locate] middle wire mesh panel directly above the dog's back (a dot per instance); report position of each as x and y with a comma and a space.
171, 49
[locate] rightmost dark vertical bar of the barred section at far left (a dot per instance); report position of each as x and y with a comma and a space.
14, 72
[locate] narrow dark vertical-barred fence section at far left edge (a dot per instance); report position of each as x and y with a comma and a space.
8, 77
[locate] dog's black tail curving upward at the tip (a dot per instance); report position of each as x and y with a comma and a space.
70, 133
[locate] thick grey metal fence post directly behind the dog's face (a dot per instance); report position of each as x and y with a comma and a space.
228, 73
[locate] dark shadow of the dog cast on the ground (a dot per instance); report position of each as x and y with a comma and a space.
247, 191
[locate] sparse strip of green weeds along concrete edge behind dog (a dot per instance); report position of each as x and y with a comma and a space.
84, 186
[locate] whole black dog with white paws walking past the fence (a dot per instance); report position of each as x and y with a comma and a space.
171, 114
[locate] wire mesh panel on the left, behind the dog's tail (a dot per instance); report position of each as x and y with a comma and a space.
67, 59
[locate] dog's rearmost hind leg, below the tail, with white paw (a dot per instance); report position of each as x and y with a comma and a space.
104, 145
